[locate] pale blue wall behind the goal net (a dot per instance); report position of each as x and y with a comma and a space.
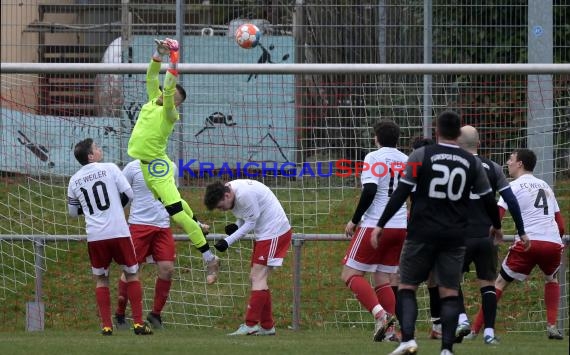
226, 118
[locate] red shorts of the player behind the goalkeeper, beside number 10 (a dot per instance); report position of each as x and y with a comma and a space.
153, 243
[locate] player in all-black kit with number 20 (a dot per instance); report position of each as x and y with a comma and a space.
443, 175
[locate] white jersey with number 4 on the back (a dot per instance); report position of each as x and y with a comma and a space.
538, 205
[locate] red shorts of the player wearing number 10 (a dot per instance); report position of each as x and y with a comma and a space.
102, 252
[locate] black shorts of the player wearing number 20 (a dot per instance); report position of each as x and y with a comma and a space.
419, 258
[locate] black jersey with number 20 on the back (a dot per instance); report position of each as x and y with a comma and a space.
444, 175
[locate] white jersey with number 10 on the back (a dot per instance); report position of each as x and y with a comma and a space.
96, 187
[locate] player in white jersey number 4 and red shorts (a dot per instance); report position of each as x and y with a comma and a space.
544, 227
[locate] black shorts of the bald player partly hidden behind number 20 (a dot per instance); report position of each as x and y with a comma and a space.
484, 254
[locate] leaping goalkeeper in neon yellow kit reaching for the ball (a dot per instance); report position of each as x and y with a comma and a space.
149, 141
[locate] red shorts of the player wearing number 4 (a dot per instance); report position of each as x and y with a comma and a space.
519, 263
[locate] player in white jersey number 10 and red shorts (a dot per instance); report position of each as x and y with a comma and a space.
99, 191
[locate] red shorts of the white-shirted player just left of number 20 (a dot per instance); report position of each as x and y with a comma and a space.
361, 256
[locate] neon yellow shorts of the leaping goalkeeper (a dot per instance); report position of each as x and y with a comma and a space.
159, 177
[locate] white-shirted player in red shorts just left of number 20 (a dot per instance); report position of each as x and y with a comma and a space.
383, 259
